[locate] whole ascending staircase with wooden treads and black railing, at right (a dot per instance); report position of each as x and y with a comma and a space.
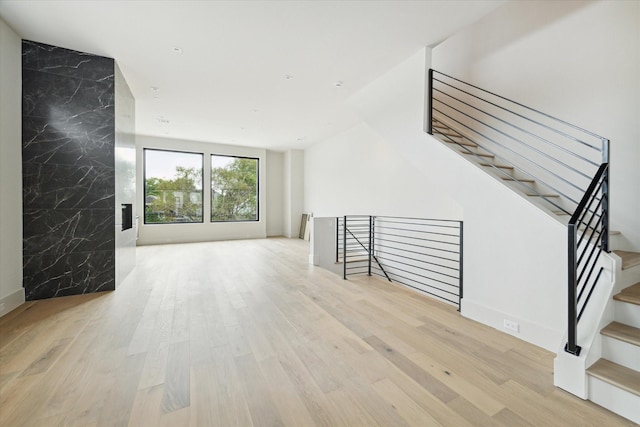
549, 166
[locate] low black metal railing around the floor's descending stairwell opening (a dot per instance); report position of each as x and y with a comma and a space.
423, 254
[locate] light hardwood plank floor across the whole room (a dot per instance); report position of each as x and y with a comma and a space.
247, 333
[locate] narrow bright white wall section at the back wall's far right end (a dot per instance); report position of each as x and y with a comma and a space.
293, 191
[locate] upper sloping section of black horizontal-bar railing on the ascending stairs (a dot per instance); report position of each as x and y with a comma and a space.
559, 157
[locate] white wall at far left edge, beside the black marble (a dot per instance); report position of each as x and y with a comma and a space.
11, 290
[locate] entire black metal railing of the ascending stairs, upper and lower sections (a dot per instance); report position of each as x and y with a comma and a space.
545, 157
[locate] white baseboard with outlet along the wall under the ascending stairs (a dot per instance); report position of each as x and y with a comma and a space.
533, 333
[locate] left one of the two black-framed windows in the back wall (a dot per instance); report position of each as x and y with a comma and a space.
172, 187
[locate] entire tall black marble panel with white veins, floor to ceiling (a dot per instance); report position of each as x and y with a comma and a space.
68, 171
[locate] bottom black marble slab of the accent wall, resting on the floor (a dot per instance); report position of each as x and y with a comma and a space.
50, 275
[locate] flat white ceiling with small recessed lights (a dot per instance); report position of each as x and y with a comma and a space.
229, 85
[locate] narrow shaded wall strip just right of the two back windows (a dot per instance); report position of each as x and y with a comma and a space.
275, 193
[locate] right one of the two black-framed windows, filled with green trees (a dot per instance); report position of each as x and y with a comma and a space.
234, 188
